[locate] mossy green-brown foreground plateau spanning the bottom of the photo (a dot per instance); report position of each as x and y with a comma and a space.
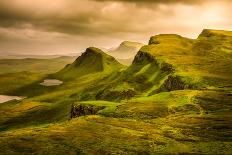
165, 123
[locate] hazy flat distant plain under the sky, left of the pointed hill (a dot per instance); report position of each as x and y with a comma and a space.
34, 65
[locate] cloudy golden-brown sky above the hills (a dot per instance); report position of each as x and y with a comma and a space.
46, 27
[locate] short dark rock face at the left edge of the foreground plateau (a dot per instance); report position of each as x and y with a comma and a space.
78, 110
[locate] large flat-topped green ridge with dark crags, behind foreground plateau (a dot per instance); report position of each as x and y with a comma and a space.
171, 62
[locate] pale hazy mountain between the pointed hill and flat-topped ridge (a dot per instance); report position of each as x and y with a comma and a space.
126, 50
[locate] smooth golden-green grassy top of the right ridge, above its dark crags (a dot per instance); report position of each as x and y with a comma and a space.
203, 61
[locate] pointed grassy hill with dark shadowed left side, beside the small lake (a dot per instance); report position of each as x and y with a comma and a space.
93, 60
